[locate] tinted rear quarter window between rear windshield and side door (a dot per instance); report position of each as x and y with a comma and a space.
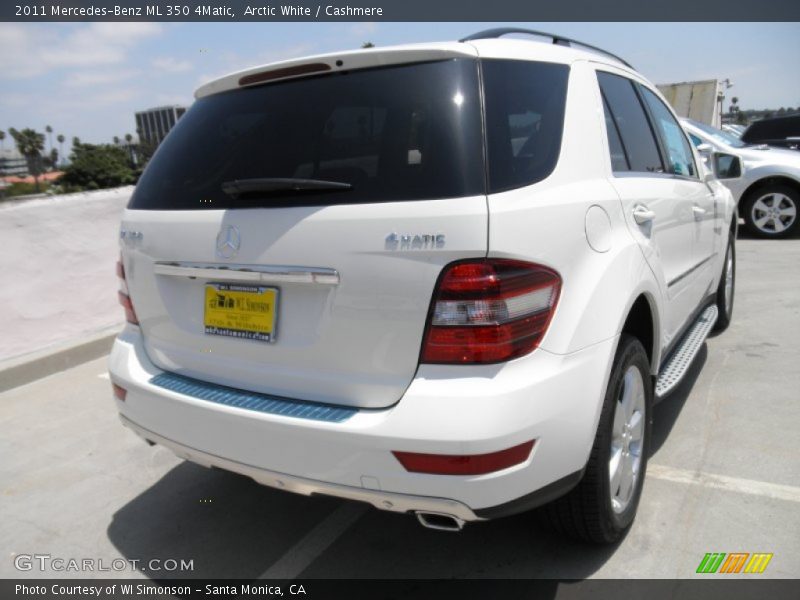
524, 120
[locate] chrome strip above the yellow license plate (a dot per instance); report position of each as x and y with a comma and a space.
249, 273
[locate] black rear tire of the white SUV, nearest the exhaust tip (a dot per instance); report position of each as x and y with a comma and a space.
586, 512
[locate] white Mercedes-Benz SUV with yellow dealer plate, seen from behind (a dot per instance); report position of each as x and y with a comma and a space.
443, 279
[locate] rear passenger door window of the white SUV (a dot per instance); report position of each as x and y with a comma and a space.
632, 124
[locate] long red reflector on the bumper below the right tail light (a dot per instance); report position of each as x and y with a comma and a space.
469, 464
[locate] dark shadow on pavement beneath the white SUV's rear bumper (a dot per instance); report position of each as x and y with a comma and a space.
246, 528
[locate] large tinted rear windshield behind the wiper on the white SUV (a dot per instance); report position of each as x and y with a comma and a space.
397, 133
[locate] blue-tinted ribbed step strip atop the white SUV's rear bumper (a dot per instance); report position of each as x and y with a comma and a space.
264, 403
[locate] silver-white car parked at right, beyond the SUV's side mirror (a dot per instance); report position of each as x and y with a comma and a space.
765, 181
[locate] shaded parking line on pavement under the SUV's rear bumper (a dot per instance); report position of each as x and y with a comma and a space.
315, 542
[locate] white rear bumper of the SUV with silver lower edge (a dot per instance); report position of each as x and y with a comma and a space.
554, 400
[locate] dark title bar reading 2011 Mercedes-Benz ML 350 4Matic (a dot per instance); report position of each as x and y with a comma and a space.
398, 10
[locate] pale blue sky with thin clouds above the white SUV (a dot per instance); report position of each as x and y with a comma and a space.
88, 79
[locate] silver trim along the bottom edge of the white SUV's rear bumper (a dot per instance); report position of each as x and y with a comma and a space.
390, 501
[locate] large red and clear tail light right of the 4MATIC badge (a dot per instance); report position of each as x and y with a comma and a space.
489, 311
